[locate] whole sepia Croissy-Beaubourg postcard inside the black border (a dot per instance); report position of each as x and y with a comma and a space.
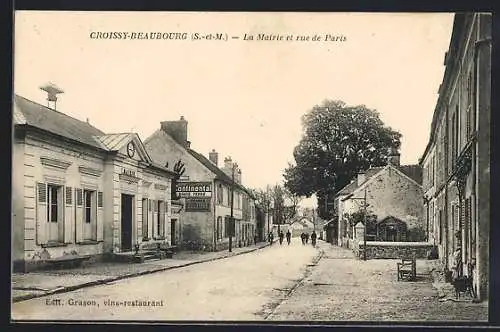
251, 166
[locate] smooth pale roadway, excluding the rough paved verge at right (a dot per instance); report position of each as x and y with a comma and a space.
243, 287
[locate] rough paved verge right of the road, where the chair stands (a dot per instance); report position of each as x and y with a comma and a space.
344, 288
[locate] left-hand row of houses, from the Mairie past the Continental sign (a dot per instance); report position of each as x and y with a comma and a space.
77, 190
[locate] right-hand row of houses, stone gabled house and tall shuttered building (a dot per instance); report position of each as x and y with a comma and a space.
447, 195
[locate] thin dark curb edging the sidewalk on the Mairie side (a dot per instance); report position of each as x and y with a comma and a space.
125, 276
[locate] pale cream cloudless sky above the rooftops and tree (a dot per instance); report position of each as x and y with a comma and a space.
243, 98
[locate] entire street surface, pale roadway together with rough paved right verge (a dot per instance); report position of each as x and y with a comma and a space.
293, 282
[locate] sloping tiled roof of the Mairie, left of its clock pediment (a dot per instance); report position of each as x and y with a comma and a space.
27, 112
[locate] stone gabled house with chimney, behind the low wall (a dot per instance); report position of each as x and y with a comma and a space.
393, 193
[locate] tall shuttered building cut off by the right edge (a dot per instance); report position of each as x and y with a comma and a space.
456, 160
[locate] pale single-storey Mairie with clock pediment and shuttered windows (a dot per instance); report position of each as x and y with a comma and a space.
77, 190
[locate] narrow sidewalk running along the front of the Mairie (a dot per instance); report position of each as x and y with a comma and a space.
41, 283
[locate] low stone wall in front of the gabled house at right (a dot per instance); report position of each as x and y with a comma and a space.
393, 250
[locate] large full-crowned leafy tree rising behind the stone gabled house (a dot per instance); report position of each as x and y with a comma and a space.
338, 141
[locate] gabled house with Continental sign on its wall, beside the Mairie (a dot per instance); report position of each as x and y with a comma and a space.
207, 214
